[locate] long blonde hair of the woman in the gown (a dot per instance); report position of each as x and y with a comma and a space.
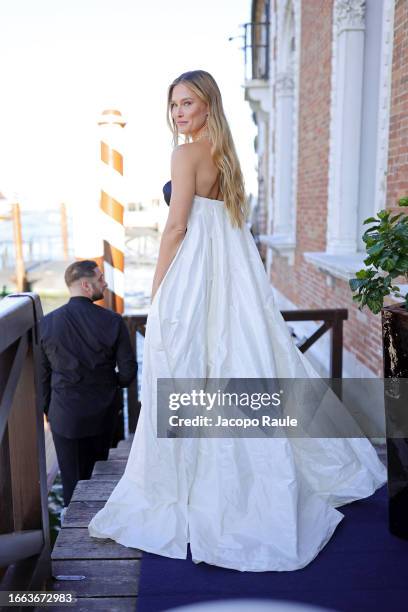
223, 150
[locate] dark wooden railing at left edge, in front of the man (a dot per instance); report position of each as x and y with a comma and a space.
25, 560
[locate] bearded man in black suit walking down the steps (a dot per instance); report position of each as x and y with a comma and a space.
81, 345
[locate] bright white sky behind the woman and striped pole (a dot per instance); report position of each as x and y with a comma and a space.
62, 62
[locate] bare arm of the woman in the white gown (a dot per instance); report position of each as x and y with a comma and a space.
183, 178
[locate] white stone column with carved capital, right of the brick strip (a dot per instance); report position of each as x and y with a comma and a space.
349, 26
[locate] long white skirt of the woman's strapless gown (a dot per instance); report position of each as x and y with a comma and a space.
247, 504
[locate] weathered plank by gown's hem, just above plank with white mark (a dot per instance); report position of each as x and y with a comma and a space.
76, 543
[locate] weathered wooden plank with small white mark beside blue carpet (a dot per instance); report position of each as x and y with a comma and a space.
104, 578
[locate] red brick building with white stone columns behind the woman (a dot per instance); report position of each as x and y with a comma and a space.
328, 85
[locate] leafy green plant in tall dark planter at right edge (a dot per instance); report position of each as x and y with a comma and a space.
387, 249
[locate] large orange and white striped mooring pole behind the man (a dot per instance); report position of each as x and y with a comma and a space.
112, 201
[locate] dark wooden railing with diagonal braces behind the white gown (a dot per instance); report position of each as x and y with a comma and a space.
332, 322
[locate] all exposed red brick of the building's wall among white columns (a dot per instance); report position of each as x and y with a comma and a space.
302, 283
